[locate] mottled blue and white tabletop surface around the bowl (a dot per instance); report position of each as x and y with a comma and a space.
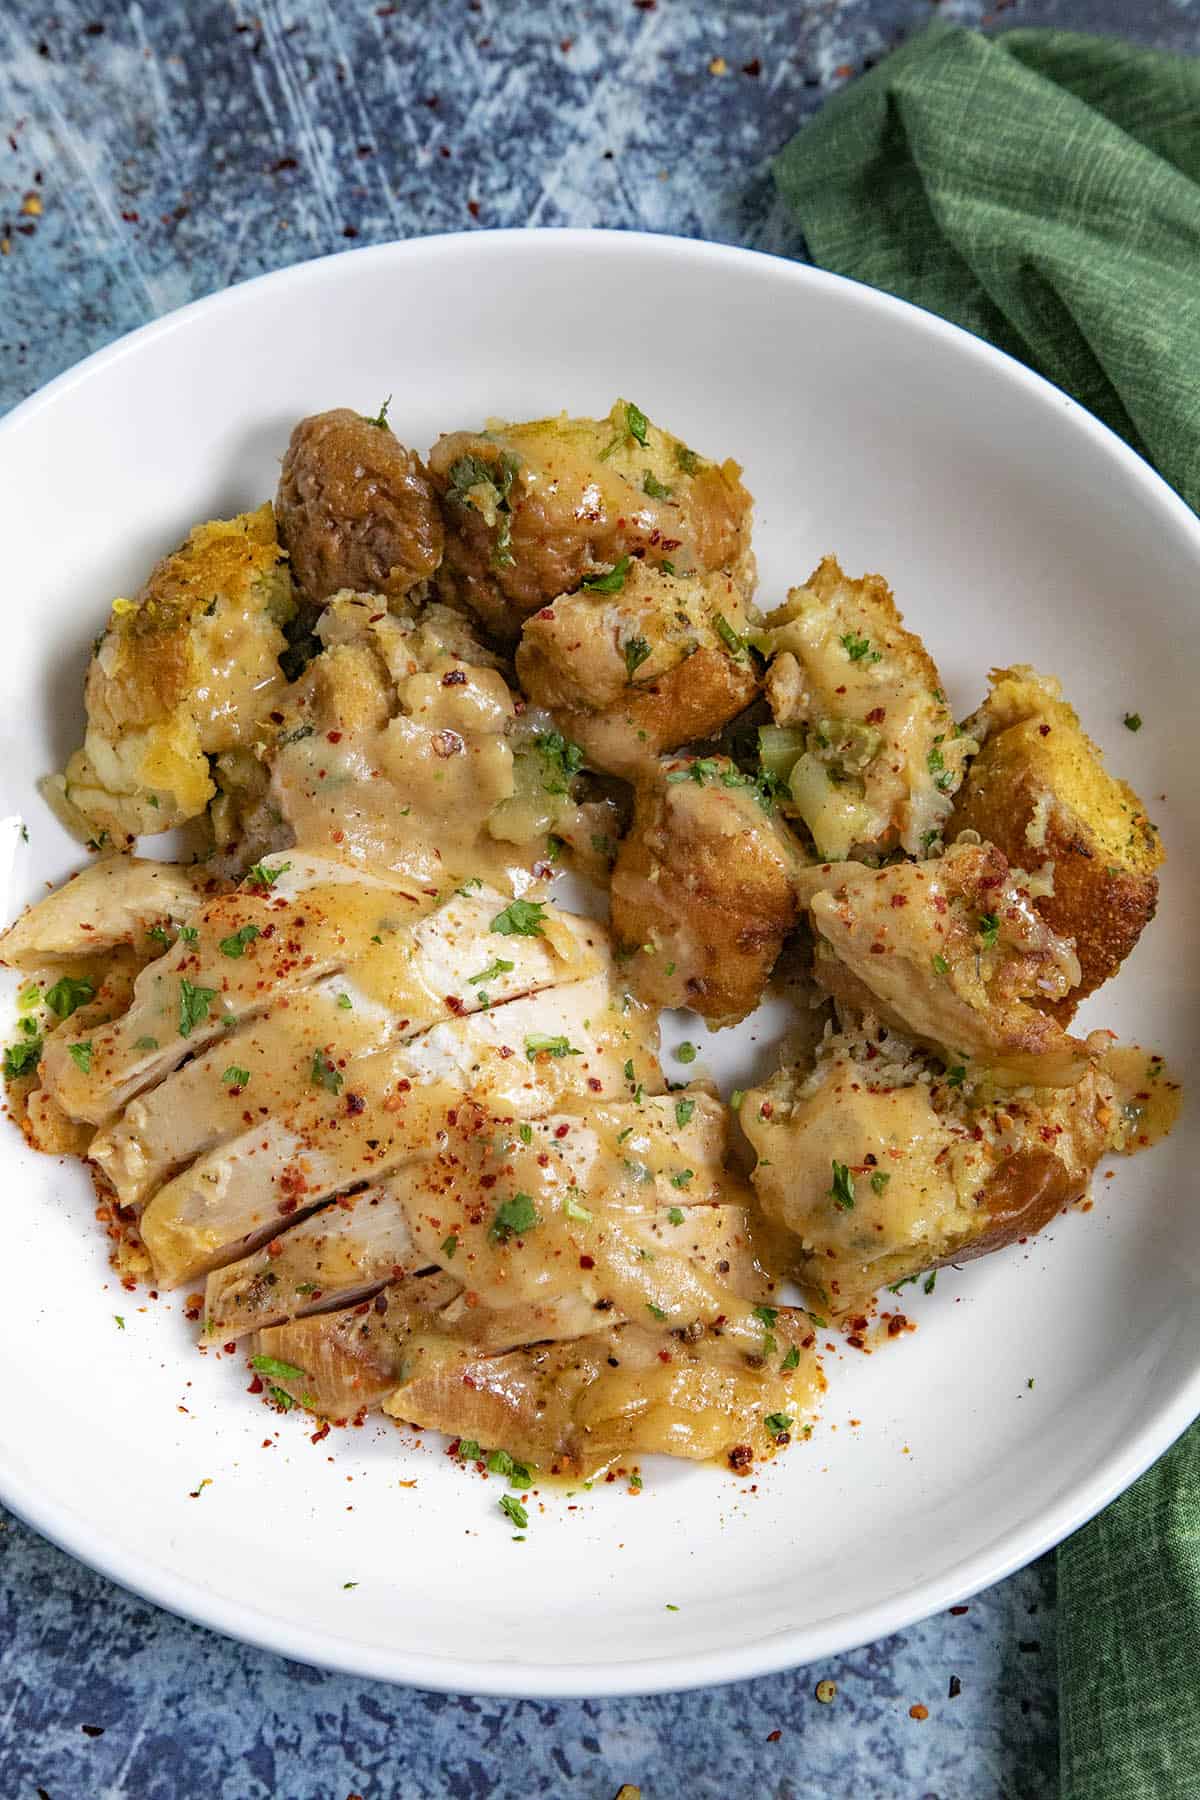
161, 152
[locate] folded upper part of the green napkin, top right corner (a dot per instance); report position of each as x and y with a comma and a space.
1041, 190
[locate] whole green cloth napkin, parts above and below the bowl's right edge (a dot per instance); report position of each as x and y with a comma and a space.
1041, 190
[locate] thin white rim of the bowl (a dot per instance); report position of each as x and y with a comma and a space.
1008, 1551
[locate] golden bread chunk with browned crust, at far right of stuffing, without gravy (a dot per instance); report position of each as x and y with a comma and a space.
1041, 791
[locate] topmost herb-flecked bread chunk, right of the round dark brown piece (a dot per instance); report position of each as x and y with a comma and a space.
533, 510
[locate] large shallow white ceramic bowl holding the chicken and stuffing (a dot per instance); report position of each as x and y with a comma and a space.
1014, 528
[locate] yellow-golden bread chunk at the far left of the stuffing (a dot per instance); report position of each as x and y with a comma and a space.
186, 670
